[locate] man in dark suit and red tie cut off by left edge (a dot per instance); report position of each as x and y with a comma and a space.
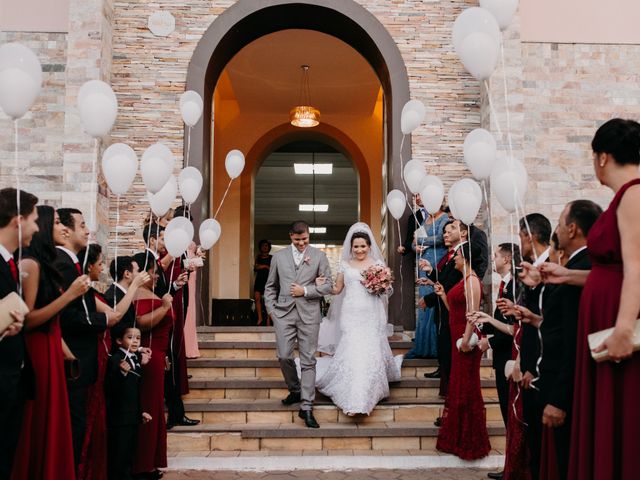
15, 374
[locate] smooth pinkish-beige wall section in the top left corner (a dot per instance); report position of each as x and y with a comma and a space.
34, 15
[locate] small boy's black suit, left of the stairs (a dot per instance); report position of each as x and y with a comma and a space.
124, 414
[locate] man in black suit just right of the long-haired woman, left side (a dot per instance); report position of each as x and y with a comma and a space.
80, 322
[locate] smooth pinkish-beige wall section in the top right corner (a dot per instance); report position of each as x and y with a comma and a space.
580, 21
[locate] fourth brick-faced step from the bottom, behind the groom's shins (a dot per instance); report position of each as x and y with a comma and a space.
204, 368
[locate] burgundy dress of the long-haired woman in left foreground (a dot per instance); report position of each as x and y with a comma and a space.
46, 448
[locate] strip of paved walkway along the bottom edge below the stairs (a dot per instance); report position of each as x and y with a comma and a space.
431, 474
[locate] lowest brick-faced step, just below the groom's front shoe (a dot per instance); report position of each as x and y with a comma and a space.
331, 436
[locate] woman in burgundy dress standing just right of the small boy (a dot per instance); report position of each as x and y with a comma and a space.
154, 317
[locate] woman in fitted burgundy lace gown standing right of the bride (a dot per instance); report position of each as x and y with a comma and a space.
464, 425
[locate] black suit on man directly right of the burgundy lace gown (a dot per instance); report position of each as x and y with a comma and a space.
501, 344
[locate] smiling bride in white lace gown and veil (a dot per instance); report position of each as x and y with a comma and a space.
357, 376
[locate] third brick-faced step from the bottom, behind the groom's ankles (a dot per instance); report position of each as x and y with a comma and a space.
272, 388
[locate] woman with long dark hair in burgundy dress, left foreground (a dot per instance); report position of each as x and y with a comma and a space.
46, 448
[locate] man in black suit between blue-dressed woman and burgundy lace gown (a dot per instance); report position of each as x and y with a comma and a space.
445, 273
